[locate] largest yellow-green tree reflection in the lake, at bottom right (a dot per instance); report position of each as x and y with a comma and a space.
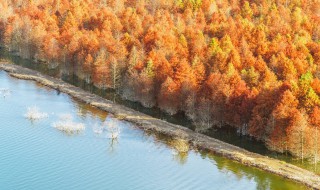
263, 179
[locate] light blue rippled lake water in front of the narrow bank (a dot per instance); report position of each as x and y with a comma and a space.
35, 155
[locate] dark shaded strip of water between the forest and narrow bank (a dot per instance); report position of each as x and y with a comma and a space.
226, 134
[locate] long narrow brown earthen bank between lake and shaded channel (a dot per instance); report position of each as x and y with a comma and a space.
148, 123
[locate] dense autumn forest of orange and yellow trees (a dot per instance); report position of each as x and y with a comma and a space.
253, 65
